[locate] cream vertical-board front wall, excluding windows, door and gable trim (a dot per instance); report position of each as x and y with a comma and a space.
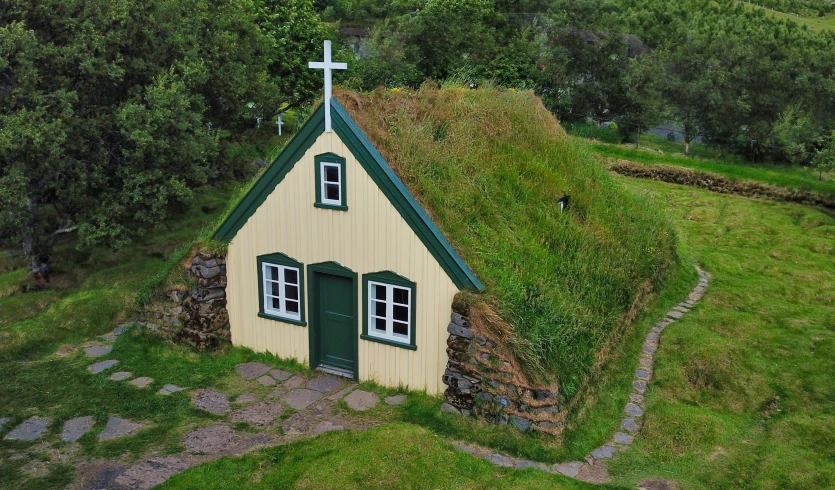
370, 237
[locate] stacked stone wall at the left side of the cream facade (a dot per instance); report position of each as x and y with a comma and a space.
196, 312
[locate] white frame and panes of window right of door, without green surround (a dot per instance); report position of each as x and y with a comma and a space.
390, 312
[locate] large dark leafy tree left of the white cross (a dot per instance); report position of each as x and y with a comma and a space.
110, 111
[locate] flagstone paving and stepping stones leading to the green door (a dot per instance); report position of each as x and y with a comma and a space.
295, 407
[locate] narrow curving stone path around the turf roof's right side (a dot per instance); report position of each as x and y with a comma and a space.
593, 468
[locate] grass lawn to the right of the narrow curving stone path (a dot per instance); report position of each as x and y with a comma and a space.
744, 395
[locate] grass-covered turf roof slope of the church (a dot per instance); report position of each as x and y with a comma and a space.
489, 166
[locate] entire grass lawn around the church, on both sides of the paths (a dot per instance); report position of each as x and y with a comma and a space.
744, 395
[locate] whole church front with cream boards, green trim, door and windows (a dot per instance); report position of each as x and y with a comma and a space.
333, 262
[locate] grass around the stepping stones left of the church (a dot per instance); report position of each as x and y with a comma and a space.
92, 291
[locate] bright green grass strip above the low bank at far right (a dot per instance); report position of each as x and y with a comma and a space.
791, 177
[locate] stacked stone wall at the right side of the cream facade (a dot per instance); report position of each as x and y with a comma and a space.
486, 381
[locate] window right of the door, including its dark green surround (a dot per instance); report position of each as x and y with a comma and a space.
390, 310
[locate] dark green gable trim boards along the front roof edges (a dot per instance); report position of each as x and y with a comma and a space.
376, 167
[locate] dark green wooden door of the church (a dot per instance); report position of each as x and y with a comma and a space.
336, 323
